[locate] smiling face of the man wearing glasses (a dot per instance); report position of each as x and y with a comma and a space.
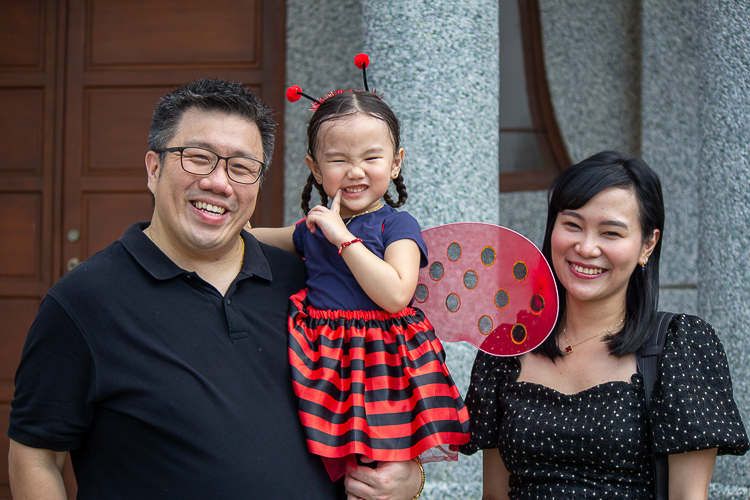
201, 215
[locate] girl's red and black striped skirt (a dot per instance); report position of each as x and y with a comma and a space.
373, 383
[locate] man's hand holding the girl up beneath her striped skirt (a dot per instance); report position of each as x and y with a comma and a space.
388, 481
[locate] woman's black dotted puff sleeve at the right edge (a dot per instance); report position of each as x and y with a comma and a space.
692, 406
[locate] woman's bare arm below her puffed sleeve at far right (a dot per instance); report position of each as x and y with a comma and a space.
690, 473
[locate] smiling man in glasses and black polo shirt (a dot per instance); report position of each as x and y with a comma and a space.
160, 364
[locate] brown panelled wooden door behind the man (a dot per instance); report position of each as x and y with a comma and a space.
78, 82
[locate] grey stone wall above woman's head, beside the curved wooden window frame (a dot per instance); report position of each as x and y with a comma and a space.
592, 61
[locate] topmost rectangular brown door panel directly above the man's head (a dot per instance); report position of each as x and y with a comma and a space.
132, 33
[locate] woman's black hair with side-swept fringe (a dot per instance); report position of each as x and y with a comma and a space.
571, 190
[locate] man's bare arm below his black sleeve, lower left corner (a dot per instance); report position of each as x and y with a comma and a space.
36, 473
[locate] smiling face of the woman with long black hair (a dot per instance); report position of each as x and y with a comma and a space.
596, 247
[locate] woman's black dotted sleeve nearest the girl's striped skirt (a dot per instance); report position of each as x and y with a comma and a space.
488, 378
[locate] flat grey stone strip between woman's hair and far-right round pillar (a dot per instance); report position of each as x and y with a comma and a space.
671, 140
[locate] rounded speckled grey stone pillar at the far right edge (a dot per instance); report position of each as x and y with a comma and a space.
724, 230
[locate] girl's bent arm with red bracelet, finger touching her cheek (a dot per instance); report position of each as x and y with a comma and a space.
390, 282
